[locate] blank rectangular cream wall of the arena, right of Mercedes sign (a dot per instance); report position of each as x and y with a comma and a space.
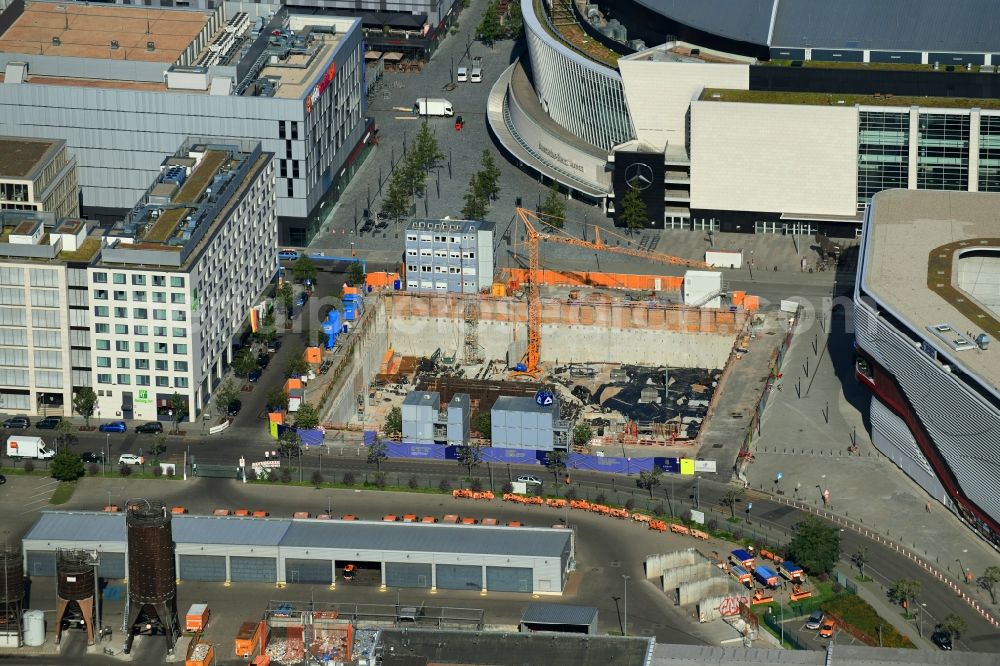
777, 158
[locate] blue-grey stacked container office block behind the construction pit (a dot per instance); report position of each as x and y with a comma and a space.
449, 255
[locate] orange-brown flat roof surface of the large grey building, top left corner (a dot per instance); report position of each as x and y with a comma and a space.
77, 30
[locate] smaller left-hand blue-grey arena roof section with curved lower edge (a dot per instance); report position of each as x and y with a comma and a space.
743, 20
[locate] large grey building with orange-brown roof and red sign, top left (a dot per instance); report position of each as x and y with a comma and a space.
124, 86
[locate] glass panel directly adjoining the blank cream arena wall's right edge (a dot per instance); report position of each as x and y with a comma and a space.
883, 153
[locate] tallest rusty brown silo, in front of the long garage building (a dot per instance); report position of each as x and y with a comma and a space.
152, 580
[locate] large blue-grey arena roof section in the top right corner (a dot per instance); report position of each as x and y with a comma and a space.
911, 25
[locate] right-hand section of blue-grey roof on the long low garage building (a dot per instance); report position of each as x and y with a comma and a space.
426, 538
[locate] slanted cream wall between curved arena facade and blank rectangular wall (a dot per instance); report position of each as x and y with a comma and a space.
659, 94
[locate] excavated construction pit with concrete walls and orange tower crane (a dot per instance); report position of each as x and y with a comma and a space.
638, 357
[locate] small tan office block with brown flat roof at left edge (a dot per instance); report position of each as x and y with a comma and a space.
38, 174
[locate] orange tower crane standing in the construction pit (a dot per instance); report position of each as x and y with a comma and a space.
551, 234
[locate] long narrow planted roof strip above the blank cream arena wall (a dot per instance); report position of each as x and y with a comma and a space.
837, 99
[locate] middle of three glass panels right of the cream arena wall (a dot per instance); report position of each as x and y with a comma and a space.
943, 151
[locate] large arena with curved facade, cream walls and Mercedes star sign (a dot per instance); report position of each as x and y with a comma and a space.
733, 124
